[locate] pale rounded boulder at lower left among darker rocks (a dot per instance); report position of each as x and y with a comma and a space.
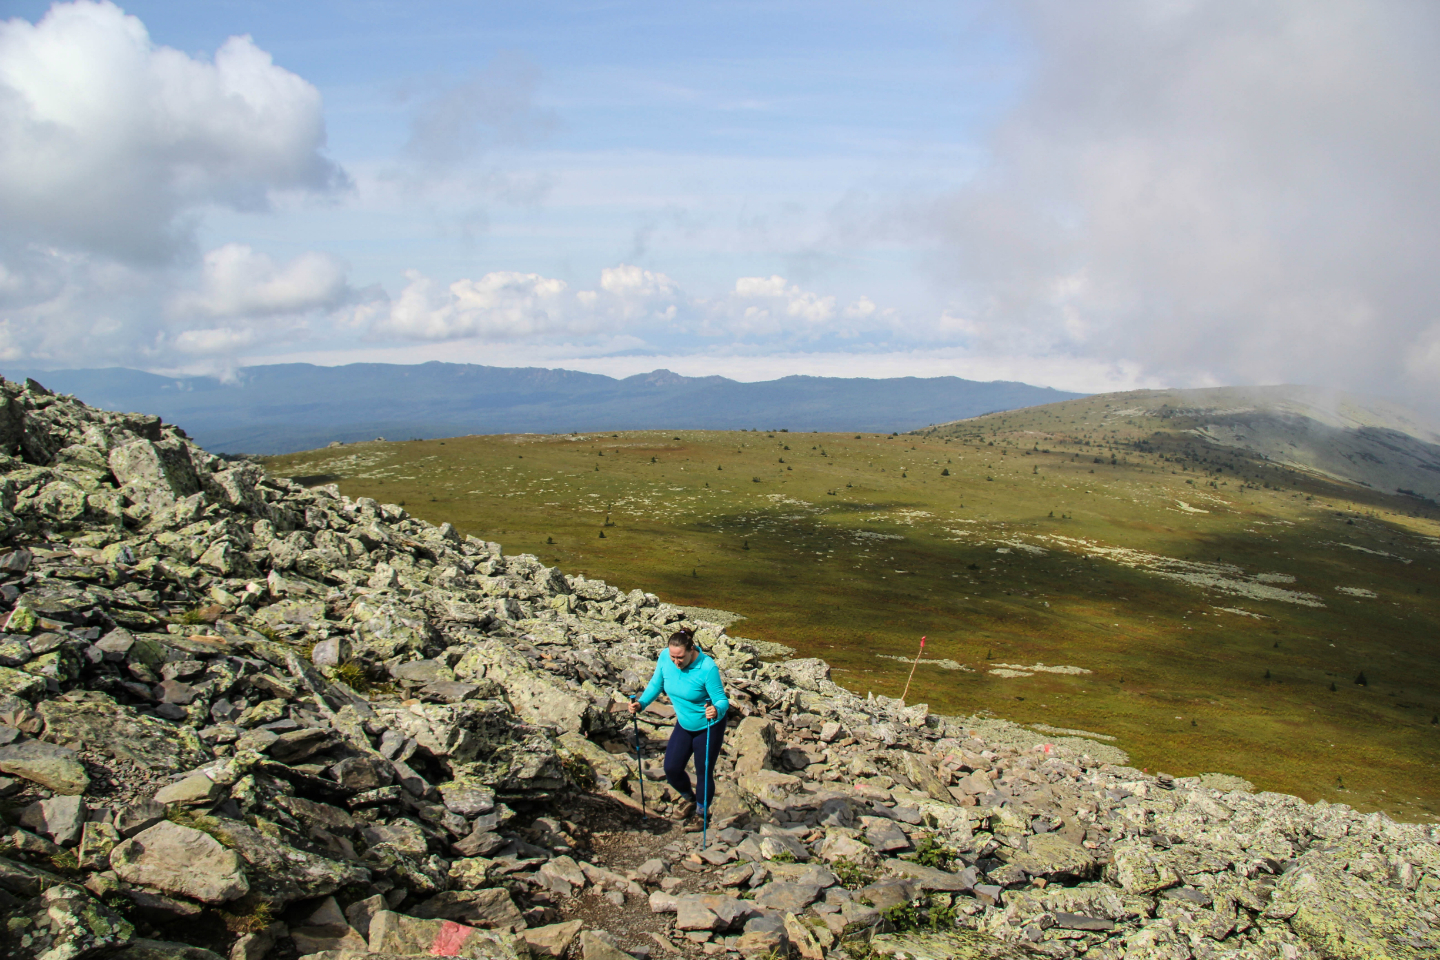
181, 860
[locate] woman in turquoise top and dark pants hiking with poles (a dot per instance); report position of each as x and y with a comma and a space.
693, 683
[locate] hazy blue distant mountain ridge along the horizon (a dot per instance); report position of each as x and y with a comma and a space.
287, 408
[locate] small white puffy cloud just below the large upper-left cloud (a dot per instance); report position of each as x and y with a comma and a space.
240, 281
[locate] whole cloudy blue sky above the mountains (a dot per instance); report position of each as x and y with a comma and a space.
1091, 196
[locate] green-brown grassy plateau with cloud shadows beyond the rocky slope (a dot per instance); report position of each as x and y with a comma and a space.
1072, 569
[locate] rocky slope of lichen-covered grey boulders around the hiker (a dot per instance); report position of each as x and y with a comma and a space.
243, 717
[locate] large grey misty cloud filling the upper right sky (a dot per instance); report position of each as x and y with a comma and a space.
1213, 192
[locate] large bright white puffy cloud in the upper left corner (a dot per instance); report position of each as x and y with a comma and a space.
110, 143
